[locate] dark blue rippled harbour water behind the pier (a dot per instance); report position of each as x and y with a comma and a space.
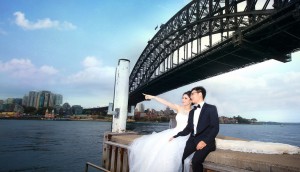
67, 145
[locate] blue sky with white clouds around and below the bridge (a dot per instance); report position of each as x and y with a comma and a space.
72, 48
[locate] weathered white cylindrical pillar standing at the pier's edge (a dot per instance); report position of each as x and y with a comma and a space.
121, 92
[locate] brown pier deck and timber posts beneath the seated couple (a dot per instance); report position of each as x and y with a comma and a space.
220, 160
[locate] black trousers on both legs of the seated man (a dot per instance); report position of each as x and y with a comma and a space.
199, 155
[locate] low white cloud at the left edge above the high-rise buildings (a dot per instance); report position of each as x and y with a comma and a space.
23, 68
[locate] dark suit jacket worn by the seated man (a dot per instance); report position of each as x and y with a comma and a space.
207, 128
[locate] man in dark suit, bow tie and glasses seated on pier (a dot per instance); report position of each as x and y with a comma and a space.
203, 127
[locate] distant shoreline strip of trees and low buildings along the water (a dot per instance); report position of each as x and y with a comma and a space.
100, 114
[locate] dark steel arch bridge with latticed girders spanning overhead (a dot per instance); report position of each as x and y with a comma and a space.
210, 37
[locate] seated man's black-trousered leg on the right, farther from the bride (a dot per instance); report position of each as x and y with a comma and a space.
200, 156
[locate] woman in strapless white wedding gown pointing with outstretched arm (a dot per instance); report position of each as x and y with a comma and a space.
155, 152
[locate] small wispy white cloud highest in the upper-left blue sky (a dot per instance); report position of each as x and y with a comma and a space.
41, 24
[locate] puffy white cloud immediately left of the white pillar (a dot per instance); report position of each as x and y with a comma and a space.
92, 86
